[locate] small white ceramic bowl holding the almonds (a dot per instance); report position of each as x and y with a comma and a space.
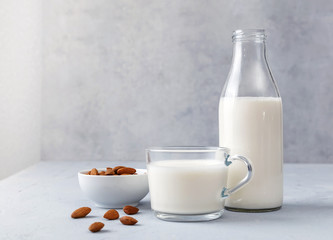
114, 191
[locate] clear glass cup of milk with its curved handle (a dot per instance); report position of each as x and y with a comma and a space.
190, 183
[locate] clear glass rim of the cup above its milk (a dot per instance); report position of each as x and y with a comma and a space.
189, 149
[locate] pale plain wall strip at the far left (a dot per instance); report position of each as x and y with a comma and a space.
20, 84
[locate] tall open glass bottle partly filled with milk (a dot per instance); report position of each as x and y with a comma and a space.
250, 124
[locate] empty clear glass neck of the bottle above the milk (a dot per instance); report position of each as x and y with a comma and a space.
249, 74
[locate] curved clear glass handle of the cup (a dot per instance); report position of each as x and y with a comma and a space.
227, 191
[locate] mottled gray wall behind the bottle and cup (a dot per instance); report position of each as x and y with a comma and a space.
120, 76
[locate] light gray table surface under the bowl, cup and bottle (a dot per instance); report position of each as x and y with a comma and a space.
36, 204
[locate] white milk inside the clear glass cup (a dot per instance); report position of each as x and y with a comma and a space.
187, 186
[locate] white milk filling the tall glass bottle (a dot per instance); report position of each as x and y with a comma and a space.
252, 126
